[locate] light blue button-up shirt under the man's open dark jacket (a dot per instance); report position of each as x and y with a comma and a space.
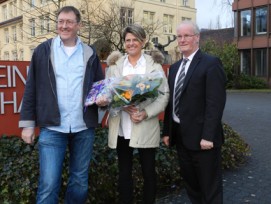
69, 72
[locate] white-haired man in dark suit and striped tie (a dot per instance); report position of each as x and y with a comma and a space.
193, 117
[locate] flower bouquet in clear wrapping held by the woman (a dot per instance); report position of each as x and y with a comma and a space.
127, 90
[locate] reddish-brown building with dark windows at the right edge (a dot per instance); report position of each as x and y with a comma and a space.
252, 34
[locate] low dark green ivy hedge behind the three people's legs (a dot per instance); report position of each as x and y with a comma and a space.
19, 169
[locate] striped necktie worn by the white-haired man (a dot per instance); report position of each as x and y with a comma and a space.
178, 87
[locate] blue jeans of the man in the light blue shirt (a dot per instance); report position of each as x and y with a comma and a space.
52, 150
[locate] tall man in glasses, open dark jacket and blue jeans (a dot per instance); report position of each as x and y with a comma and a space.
61, 73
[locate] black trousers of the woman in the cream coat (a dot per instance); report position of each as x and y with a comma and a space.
125, 164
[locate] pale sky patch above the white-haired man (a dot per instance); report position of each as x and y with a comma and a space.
208, 13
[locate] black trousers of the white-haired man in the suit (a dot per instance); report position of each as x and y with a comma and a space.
202, 173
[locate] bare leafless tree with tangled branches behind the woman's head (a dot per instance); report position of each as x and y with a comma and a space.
110, 22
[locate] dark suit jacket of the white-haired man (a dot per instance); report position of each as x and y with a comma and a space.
202, 103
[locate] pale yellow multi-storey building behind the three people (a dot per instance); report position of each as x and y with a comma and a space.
25, 24
